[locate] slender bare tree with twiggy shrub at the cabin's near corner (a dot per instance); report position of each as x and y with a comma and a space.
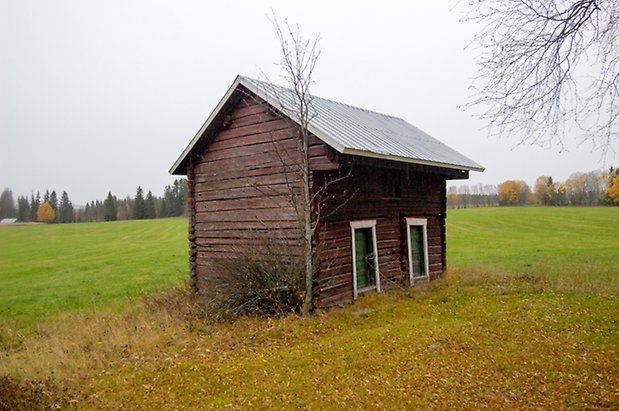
275, 274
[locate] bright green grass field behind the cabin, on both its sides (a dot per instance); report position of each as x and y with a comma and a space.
46, 270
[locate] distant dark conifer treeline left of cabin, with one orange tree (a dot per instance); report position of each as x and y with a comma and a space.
50, 209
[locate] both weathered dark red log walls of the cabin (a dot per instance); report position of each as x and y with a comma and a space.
242, 186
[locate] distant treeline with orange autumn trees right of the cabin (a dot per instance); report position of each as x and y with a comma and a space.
580, 189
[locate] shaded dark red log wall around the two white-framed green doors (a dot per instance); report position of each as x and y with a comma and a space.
367, 195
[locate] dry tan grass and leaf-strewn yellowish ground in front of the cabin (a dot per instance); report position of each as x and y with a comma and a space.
471, 338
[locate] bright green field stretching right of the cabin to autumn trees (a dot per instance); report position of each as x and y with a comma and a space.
576, 247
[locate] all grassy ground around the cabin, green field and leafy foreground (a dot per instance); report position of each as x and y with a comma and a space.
526, 317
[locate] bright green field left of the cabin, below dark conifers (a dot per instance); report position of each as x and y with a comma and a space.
46, 270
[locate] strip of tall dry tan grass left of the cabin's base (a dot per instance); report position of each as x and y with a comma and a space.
70, 348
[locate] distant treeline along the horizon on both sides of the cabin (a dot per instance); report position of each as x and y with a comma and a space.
580, 189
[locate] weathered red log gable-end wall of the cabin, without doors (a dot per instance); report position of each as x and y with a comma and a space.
245, 186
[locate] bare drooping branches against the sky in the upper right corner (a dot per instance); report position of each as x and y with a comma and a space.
548, 69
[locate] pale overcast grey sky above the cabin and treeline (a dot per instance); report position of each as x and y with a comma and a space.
104, 96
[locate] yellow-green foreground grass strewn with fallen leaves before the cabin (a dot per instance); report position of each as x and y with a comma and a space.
451, 344
